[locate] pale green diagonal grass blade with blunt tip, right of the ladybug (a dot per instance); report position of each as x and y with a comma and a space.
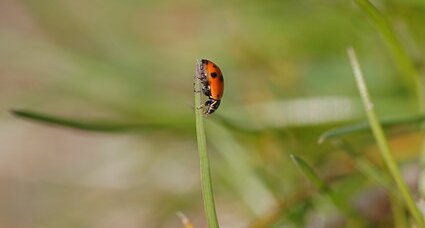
382, 141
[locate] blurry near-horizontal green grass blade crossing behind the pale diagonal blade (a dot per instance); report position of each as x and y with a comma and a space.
413, 122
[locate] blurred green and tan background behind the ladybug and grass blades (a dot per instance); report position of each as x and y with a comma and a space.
288, 79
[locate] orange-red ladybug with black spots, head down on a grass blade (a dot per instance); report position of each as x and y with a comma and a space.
212, 82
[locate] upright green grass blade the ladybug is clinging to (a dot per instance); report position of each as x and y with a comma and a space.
206, 182
